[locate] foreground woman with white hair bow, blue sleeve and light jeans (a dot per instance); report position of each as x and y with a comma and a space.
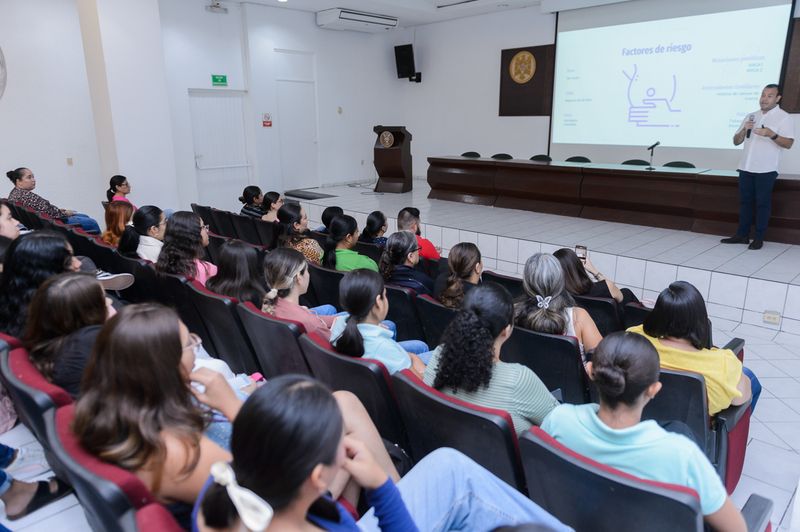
289, 454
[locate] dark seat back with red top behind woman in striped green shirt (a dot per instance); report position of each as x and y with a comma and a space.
434, 420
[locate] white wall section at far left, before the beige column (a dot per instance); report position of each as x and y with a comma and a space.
45, 113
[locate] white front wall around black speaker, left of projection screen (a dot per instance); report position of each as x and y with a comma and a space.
455, 108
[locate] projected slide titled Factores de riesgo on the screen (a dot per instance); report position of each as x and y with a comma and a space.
687, 81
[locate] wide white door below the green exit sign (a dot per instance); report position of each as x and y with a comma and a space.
220, 147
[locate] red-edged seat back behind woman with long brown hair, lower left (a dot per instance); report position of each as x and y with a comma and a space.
111, 497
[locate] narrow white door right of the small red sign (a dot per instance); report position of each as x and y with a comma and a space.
297, 125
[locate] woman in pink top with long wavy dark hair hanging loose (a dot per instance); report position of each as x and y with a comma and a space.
185, 239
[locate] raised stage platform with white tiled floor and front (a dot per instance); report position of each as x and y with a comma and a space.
738, 284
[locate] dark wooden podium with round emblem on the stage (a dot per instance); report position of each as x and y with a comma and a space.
392, 159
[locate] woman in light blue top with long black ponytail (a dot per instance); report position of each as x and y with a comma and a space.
360, 334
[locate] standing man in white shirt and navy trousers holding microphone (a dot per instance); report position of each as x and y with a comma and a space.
765, 134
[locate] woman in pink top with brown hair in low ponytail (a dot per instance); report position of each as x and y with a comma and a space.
286, 272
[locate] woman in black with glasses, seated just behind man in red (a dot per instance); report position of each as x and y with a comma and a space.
398, 262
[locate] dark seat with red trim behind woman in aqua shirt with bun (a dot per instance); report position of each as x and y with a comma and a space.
563, 482
